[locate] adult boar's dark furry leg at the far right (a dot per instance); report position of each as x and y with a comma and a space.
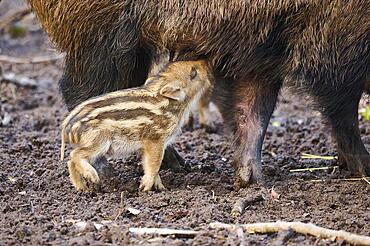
340, 107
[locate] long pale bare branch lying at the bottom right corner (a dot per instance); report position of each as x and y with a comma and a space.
299, 227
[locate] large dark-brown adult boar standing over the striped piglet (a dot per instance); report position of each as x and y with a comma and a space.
322, 47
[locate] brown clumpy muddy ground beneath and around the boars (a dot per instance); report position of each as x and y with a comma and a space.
38, 204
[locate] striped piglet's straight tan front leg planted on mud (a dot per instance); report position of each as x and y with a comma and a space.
152, 157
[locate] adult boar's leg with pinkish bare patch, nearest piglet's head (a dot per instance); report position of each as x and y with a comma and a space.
254, 102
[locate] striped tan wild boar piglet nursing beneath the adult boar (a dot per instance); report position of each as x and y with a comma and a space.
145, 118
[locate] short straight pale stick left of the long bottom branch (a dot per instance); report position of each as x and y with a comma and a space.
162, 231
